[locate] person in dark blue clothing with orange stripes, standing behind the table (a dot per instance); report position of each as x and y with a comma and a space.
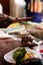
34, 8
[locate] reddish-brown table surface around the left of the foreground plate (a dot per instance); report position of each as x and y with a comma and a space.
5, 46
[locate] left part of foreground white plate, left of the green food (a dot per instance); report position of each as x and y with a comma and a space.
9, 56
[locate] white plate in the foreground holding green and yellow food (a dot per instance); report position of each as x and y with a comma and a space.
9, 56
